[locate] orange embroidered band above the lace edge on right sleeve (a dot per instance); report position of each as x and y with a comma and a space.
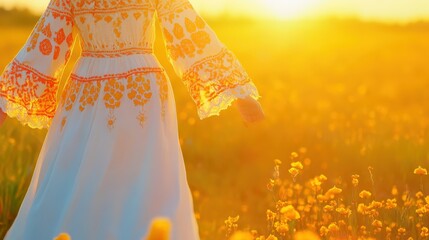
209, 77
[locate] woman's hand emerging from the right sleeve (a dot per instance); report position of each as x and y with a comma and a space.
250, 109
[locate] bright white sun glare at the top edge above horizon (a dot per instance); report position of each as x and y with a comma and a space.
286, 9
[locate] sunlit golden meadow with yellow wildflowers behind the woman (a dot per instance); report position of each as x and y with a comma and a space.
342, 154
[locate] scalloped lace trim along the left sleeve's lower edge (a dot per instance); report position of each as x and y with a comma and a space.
19, 112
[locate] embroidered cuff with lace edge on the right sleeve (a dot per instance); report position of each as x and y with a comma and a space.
216, 81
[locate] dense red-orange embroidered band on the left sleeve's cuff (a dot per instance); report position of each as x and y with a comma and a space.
34, 91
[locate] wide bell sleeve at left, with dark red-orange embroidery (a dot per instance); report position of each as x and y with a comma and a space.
29, 83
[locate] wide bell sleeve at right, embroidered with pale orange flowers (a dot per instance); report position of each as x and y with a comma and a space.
212, 73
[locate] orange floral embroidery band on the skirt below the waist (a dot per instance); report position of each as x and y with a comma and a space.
135, 84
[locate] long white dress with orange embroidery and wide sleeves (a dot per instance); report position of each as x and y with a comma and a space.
111, 160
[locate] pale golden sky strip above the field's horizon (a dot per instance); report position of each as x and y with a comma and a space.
385, 10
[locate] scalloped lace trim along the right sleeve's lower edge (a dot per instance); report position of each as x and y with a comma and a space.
225, 99
